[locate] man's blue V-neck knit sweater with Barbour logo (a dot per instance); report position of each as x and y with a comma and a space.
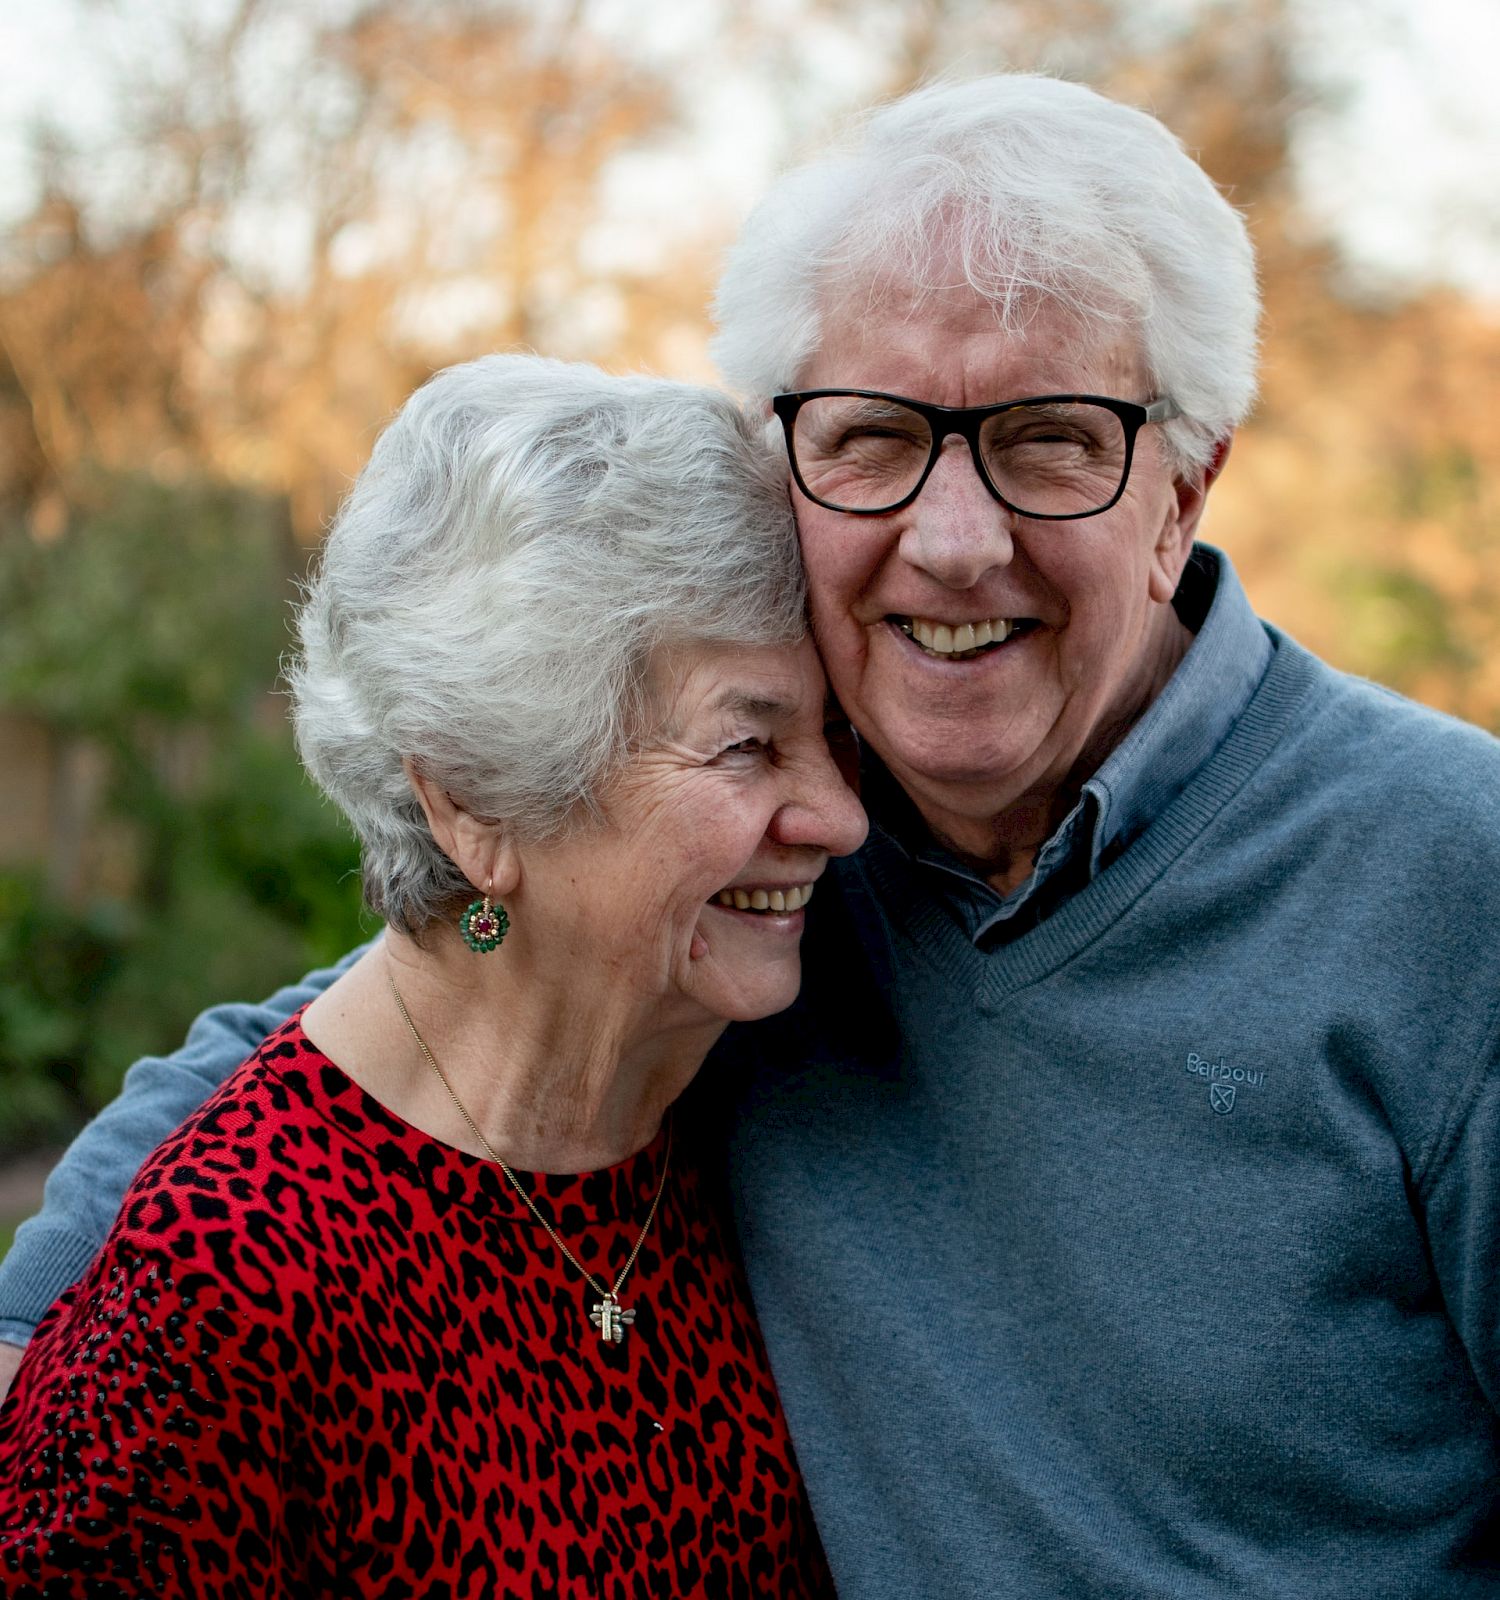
1152, 1252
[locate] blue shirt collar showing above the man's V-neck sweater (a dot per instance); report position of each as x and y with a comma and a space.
1138, 782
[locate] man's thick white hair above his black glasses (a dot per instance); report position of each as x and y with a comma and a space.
1040, 191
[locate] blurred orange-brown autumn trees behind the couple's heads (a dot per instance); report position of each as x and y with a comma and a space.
303, 210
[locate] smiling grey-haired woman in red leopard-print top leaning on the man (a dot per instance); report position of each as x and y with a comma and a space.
434, 1297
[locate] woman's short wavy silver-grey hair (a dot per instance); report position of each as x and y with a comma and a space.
527, 537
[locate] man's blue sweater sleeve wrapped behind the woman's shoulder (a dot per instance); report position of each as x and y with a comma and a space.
84, 1193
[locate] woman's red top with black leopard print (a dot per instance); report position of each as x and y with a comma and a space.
324, 1354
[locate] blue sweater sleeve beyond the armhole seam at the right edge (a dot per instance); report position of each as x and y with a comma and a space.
1464, 1217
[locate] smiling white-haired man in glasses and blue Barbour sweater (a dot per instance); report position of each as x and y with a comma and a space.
1120, 1198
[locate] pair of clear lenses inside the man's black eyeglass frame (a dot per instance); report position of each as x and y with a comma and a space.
1058, 460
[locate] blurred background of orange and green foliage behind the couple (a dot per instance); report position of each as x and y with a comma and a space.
290, 223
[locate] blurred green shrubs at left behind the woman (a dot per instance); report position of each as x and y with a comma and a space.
151, 633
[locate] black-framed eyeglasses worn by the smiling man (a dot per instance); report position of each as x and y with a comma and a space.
1050, 457
